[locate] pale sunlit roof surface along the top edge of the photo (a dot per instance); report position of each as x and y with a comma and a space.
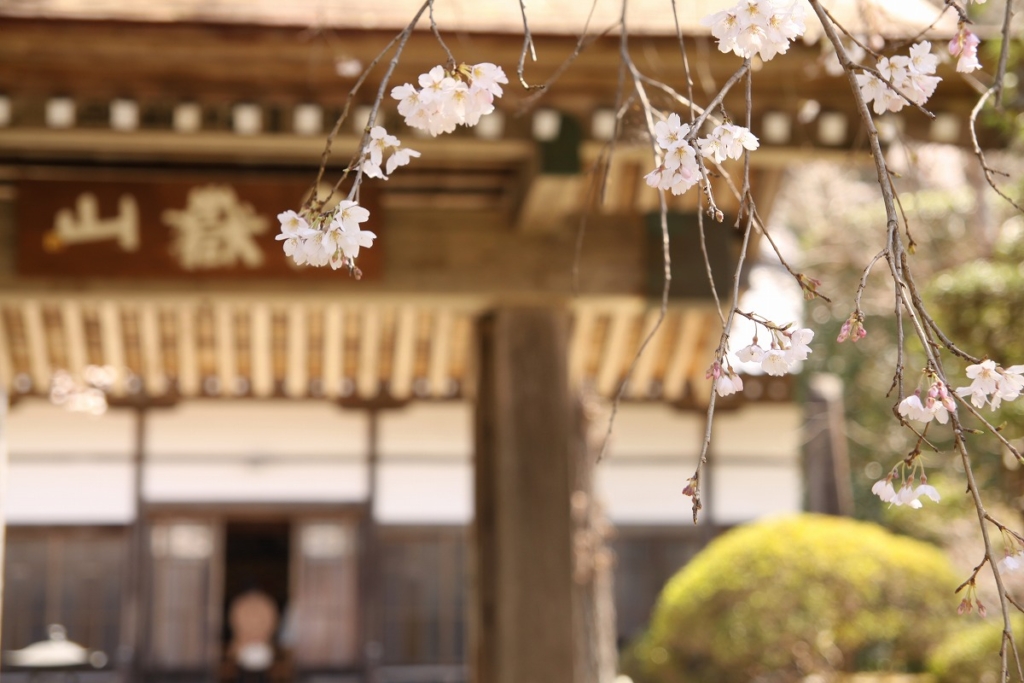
546, 17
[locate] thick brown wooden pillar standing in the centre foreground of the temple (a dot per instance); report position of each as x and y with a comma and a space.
527, 436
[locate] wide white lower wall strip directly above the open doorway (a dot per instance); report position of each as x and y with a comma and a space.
258, 482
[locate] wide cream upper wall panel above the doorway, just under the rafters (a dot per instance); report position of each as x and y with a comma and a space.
262, 429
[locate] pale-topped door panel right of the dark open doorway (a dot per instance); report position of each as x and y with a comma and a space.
324, 615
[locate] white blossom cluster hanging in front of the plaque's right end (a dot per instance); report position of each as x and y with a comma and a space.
336, 243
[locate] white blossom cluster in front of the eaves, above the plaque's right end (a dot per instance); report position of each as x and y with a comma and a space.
448, 100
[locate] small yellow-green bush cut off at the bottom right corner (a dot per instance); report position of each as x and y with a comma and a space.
972, 655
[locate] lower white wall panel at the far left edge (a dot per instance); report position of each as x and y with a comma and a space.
69, 493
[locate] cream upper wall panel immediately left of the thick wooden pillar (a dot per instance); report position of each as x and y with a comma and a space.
437, 431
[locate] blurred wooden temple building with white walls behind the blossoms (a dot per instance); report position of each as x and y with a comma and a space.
407, 464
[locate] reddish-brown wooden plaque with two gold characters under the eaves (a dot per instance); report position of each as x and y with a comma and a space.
164, 230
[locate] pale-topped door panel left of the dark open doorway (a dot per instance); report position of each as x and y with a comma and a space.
185, 596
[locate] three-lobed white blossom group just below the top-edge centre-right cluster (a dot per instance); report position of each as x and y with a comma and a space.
679, 172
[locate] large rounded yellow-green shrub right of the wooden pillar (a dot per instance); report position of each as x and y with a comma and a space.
782, 600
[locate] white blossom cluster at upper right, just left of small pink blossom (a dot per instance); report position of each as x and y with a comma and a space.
911, 75
